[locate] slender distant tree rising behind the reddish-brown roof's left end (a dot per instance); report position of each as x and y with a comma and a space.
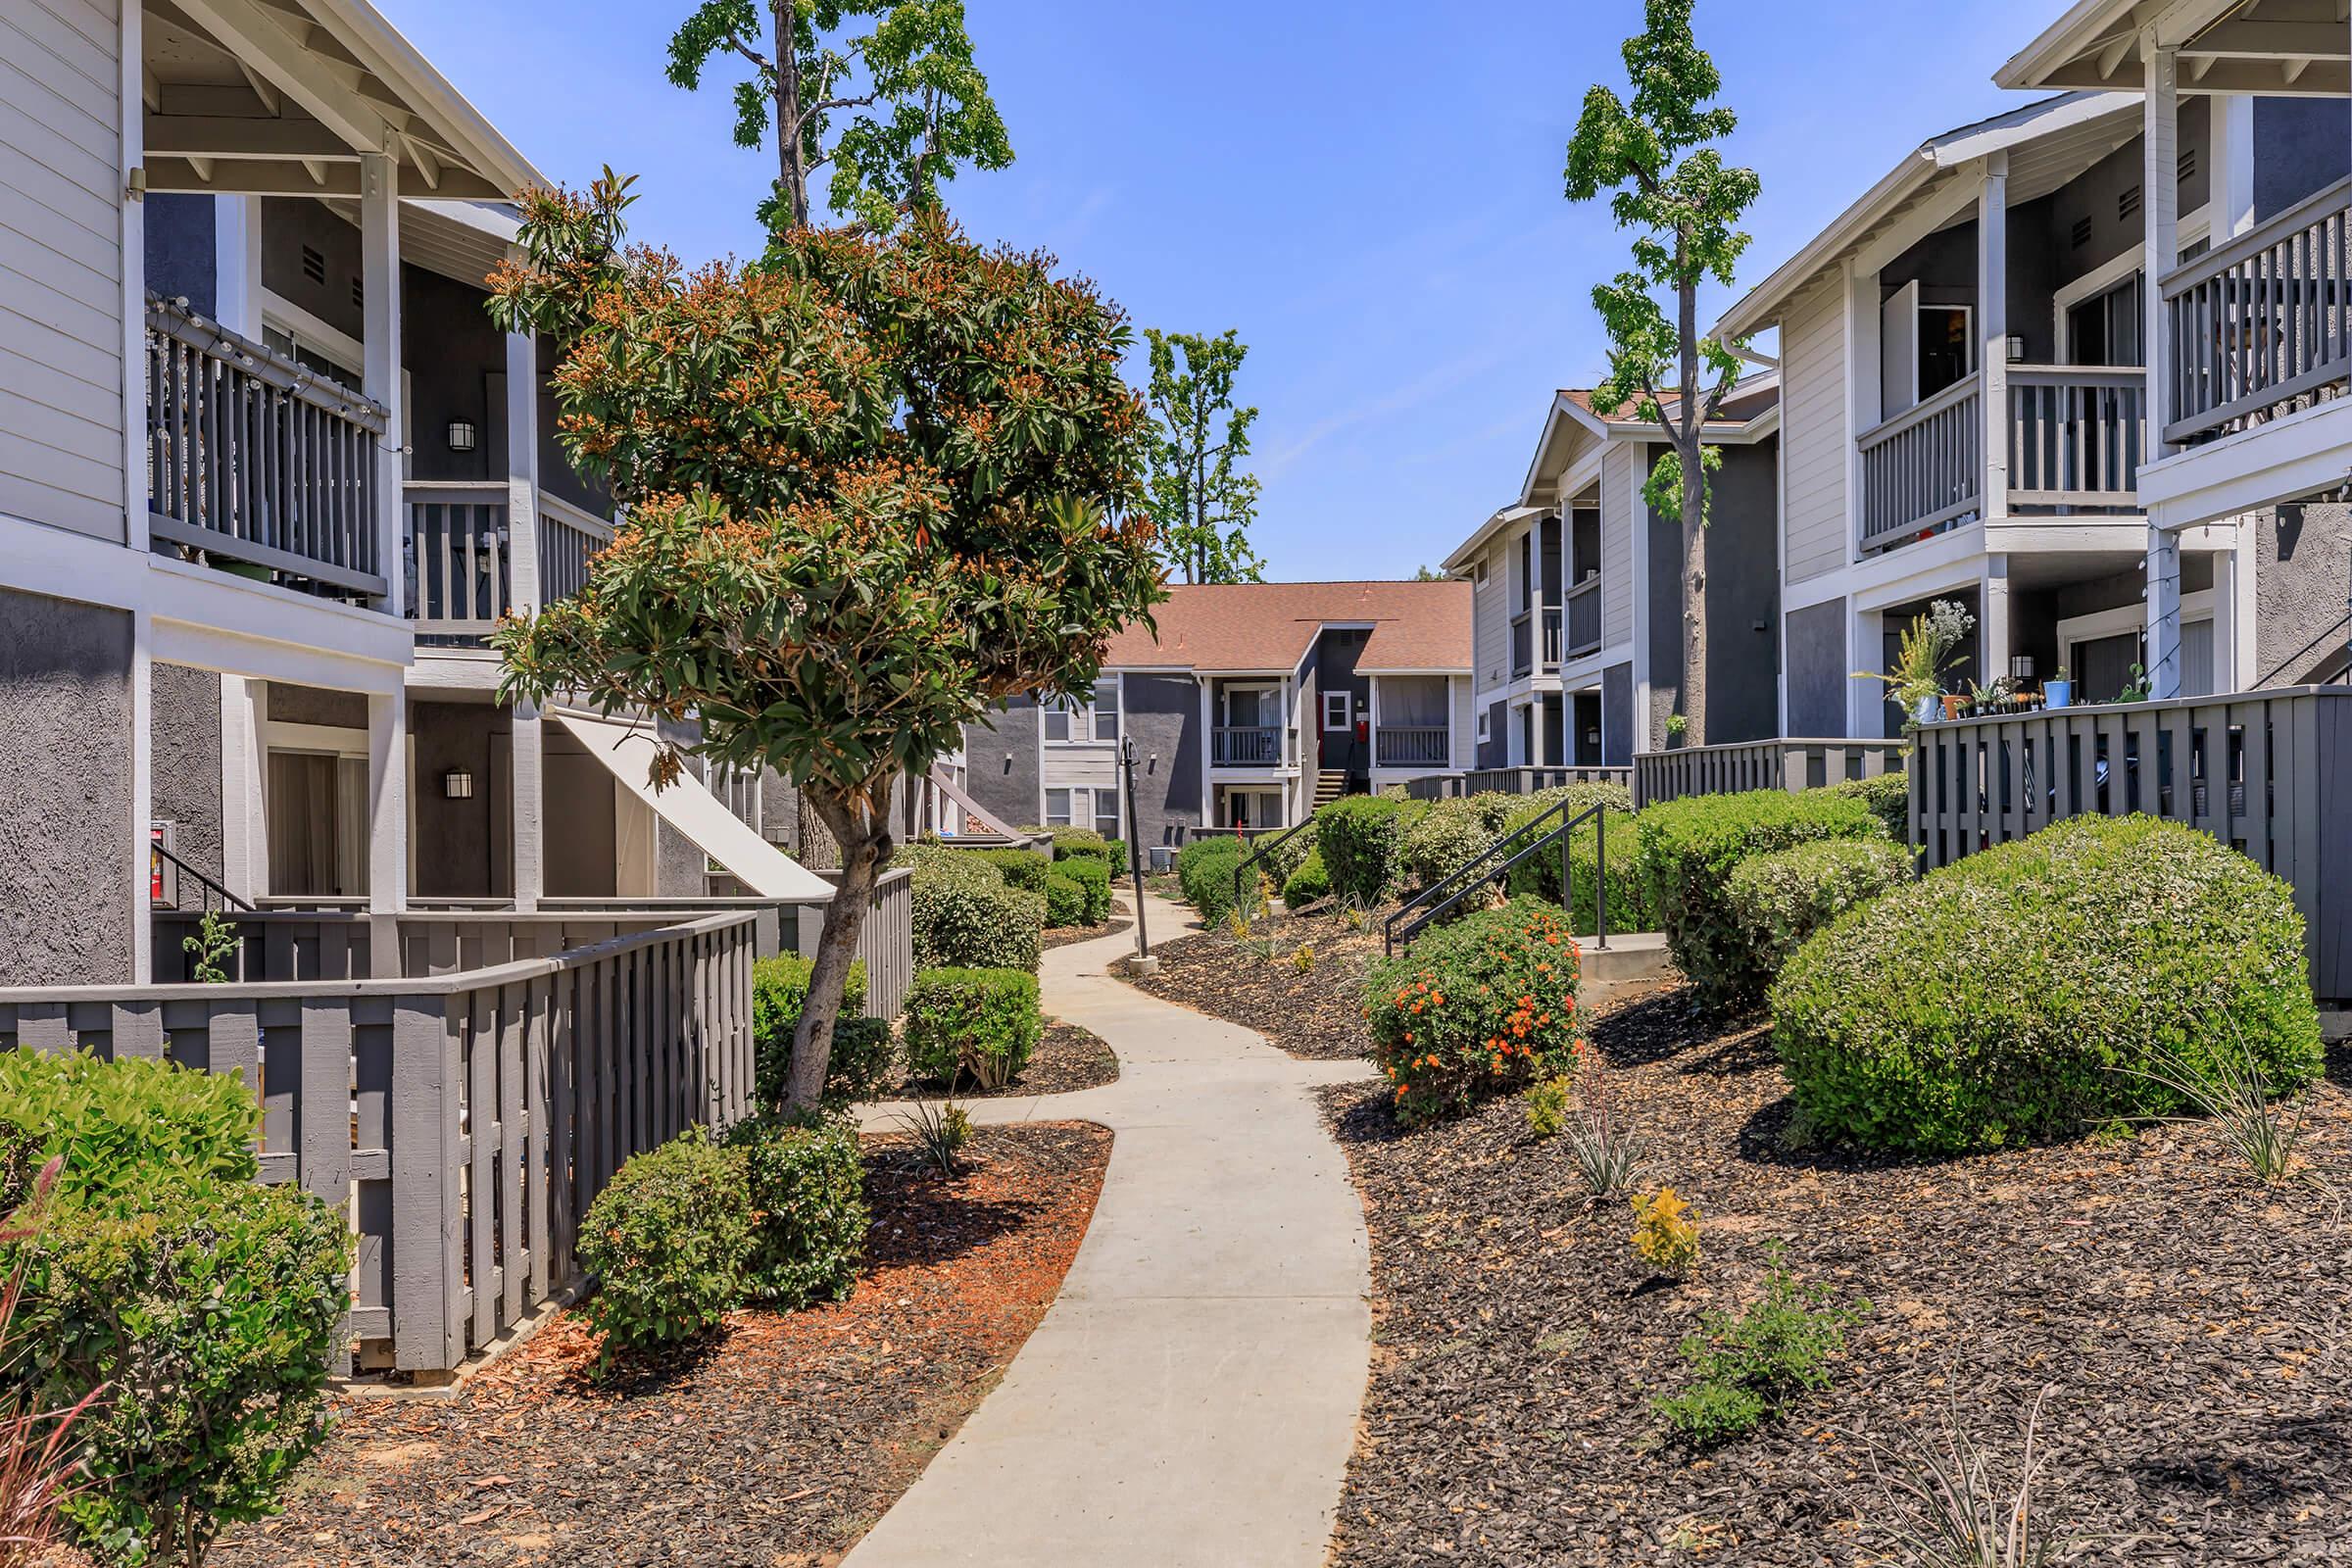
1201, 497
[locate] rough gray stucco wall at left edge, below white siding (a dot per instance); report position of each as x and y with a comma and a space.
65, 793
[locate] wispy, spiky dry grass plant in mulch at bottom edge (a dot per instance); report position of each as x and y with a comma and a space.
1946, 1508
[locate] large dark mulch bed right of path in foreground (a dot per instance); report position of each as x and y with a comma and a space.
2196, 1329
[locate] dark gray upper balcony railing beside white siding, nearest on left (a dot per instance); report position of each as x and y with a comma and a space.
258, 460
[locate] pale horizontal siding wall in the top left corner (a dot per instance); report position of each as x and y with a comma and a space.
62, 264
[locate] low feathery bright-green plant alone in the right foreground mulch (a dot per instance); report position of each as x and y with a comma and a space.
1751, 1367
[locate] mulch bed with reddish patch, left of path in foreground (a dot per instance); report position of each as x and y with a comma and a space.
777, 1447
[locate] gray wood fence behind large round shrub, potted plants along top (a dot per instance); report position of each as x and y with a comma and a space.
2252, 770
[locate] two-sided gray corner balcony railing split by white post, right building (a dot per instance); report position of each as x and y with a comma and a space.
2076, 443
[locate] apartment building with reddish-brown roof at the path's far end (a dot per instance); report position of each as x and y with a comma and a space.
1250, 704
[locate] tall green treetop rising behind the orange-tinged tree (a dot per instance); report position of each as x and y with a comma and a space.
914, 98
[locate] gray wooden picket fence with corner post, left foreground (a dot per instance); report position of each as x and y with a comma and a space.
462, 1120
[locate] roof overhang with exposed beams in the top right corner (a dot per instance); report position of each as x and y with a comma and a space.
2271, 48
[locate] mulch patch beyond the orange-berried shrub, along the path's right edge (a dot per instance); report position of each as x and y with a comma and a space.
1316, 1012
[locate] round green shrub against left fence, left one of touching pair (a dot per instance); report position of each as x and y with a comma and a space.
667, 1242
